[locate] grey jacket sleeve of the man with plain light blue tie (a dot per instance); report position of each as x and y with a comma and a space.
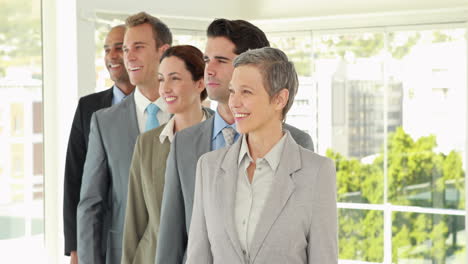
94, 193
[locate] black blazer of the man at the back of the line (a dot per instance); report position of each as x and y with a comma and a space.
76, 154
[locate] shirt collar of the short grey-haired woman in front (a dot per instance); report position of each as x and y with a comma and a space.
272, 157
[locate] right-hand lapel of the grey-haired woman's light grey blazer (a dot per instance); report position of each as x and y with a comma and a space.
281, 190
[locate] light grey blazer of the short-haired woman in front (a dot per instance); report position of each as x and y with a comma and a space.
297, 225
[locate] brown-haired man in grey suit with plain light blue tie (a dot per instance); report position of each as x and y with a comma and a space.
103, 197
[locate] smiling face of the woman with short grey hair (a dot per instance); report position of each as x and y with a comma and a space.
250, 103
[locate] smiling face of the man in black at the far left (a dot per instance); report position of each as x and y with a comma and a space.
114, 55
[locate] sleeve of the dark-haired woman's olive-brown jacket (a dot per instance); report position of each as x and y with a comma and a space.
136, 214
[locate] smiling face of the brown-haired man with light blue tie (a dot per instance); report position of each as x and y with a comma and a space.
141, 56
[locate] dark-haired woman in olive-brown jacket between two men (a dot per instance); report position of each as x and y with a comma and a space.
181, 85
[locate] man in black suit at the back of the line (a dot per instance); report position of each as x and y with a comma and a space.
78, 141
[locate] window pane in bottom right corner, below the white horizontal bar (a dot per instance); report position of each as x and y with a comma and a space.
428, 238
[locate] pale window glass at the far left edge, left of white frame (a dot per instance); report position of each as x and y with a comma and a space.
21, 166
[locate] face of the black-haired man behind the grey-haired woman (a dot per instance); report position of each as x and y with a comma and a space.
219, 55
